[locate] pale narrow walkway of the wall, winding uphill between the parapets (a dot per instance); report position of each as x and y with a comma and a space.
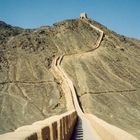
88, 131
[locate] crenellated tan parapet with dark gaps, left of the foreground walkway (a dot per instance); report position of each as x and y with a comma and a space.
57, 127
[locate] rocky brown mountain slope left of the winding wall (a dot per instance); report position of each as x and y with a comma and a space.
29, 92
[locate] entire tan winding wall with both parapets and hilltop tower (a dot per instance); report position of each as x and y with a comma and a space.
61, 127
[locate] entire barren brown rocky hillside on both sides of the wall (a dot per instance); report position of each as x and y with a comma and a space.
107, 81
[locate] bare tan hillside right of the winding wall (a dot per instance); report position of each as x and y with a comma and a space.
107, 82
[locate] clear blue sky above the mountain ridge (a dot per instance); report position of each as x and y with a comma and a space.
122, 16
